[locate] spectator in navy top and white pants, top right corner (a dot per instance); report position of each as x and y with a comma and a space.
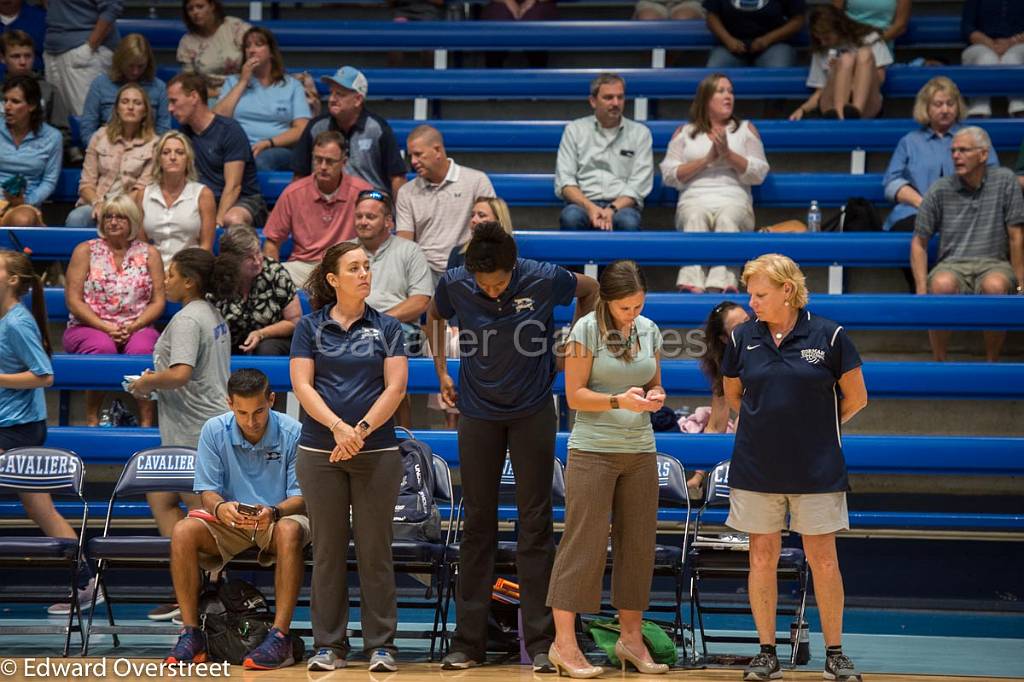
995, 33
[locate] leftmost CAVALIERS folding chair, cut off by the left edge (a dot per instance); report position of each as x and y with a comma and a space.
59, 473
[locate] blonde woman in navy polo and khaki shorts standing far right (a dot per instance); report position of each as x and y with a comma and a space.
794, 378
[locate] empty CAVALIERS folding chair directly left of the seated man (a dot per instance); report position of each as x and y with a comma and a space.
168, 470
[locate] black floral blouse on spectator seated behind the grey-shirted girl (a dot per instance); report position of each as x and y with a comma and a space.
270, 294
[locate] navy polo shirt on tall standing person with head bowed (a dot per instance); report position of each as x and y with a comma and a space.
507, 345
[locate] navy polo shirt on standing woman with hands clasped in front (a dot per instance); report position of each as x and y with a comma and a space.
349, 371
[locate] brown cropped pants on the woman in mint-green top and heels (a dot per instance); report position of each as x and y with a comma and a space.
622, 487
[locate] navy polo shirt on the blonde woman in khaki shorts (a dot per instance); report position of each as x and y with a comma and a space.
790, 438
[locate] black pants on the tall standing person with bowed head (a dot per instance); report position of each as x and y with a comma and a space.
531, 444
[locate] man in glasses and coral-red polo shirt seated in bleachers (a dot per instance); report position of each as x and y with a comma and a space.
318, 211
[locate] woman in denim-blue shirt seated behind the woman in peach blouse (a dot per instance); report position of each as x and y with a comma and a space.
134, 63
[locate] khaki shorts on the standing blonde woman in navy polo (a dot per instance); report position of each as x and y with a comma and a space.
817, 515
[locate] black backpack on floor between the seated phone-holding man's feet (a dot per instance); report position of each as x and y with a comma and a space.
236, 619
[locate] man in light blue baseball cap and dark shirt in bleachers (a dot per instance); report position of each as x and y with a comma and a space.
374, 155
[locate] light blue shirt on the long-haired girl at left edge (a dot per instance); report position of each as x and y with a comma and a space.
23, 351
